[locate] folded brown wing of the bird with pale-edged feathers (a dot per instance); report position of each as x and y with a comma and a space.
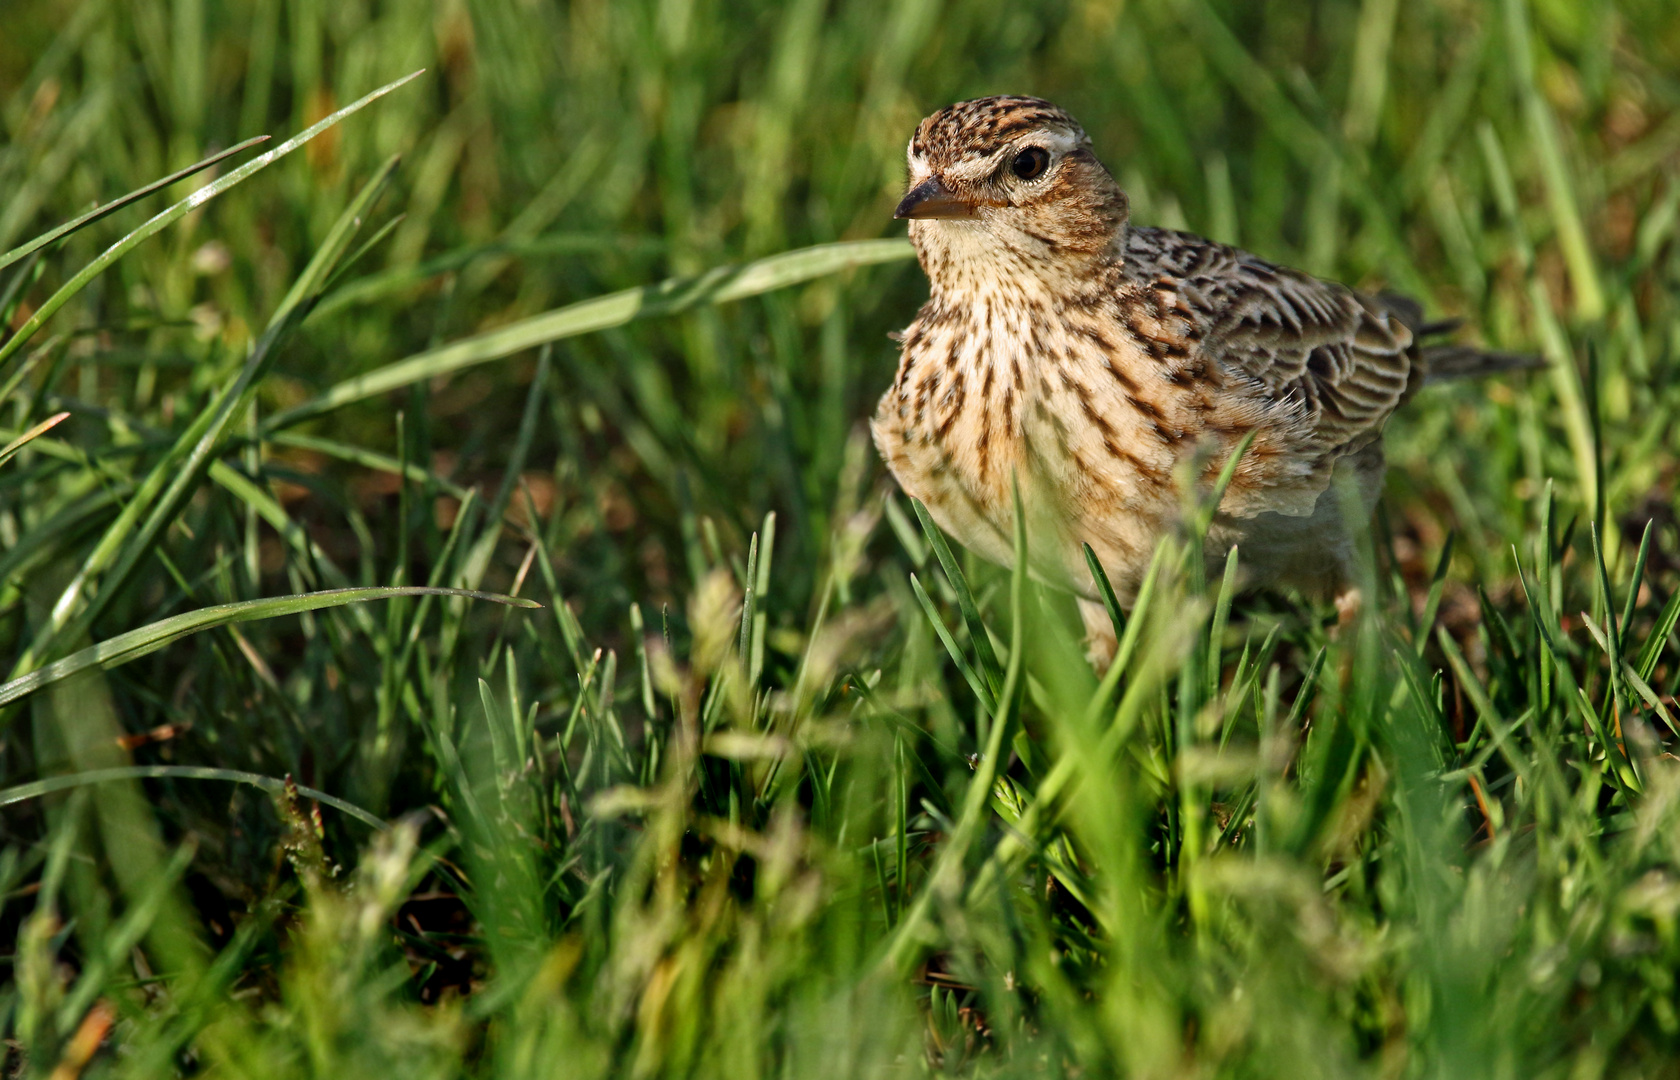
1313, 367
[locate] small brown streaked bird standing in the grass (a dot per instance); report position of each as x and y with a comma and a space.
1101, 369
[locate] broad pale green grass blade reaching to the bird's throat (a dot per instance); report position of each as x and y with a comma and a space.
718, 286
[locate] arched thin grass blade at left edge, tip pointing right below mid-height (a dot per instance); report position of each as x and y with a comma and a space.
152, 637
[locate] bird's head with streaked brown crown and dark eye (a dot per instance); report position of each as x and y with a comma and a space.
1005, 186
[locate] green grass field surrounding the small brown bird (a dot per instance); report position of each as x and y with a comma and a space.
779, 782
